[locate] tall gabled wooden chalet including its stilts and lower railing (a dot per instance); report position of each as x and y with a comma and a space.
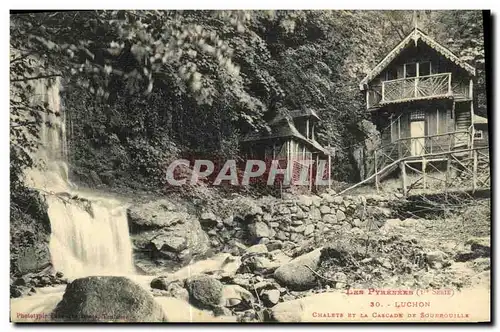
421, 99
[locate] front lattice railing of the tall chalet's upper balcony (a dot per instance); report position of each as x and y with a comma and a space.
403, 89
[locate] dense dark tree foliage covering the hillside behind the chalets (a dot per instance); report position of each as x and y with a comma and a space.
144, 87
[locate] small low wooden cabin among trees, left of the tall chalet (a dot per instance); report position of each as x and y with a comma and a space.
291, 139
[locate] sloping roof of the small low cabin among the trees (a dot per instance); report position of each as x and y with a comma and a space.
284, 130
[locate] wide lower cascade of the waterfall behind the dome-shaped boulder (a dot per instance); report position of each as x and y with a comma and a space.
90, 240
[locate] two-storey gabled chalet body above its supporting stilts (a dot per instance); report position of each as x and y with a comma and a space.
421, 98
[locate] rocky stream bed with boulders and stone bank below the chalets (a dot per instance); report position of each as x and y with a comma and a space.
251, 260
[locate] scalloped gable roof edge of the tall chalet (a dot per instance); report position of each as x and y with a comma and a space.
415, 36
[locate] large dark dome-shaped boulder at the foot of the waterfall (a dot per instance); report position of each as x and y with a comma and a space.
108, 299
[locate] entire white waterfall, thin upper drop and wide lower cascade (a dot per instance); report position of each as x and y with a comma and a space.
90, 233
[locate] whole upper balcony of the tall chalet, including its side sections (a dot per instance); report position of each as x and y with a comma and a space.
418, 88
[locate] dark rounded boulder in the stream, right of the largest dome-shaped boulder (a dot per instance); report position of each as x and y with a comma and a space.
204, 291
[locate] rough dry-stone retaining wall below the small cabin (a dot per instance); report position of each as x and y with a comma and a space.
294, 219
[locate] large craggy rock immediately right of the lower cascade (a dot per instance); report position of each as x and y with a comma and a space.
165, 236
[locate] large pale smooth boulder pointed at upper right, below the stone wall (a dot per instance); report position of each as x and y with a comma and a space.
296, 275
